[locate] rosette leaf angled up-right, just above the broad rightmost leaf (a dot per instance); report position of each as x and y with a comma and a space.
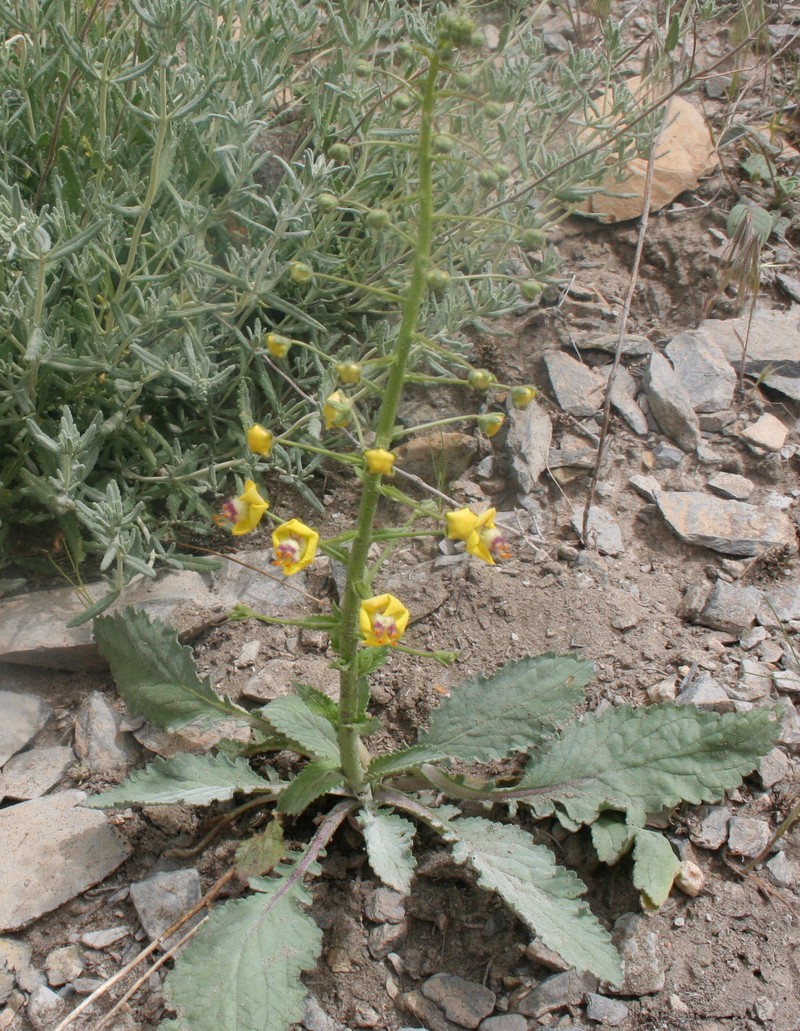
515, 710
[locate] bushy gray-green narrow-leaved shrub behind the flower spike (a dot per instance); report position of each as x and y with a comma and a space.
161, 165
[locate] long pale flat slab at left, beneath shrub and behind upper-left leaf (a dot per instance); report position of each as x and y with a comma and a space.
34, 627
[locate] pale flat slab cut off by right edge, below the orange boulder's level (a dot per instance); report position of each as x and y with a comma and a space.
774, 346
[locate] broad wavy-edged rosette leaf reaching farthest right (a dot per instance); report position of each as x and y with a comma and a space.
641, 761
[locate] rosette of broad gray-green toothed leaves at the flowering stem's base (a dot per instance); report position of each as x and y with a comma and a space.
609, 773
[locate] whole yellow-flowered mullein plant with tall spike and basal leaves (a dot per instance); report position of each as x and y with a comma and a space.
242, 972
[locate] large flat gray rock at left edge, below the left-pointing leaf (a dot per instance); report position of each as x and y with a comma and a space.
53, 850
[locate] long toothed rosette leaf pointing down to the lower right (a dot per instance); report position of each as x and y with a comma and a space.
543, 894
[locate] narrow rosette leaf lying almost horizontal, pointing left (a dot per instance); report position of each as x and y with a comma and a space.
185, 779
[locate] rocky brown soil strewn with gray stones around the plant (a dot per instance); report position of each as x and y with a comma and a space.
686, 589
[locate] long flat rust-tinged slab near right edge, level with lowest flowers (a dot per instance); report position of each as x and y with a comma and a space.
729, 527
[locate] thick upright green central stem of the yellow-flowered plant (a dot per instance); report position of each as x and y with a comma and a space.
349, 738
